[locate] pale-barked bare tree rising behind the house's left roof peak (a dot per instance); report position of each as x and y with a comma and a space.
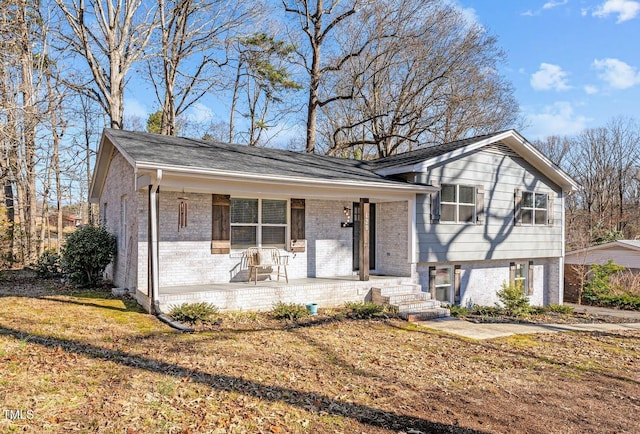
110, 36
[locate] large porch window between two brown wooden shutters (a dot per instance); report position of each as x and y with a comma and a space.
256, 222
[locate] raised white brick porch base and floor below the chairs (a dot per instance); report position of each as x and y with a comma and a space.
325, 291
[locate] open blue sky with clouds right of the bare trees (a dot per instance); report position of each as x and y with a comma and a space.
575, 64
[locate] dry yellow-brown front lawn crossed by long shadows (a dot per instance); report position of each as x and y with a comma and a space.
82, 361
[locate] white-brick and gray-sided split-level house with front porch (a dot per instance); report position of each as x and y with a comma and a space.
459, 219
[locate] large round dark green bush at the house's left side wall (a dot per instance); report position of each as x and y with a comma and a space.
87, 253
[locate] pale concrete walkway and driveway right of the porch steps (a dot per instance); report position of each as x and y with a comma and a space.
490, 331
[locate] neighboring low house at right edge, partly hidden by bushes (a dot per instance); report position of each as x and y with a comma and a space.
577, 262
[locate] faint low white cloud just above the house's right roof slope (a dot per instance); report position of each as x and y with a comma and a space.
556, 119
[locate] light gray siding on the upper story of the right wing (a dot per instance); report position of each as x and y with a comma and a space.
501, 173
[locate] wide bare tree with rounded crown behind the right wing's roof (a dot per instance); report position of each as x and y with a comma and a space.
430, 77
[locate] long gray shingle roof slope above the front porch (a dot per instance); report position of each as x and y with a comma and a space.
199, 154
